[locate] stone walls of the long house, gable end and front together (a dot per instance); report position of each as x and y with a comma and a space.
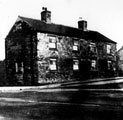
29, 57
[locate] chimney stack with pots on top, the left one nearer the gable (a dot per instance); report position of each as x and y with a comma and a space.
46, 15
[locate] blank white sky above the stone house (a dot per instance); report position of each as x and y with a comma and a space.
104, 16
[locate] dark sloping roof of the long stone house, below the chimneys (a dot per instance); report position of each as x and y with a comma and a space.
65, 30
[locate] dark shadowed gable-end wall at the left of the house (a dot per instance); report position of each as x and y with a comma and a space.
21, 54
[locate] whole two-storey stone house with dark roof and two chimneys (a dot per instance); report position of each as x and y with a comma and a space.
39, 51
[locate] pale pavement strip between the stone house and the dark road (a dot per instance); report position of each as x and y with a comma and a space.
68, 85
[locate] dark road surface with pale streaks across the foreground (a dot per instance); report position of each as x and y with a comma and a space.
68, 102
